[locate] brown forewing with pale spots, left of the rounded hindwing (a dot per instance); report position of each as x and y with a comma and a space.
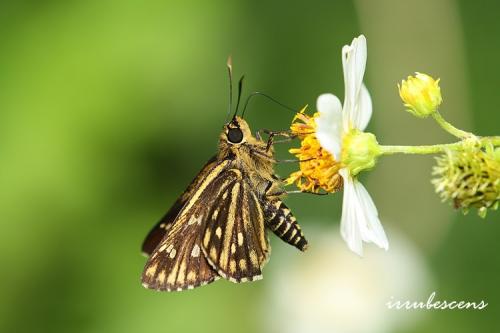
178, 262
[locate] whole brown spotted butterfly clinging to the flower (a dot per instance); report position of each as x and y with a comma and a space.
217, 227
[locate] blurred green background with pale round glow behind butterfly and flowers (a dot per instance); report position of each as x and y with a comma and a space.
108, 108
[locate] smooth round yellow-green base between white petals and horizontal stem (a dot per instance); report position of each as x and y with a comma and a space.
360, 151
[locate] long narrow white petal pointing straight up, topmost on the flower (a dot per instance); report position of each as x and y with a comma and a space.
353, 62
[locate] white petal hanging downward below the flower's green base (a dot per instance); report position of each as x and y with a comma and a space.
360, 220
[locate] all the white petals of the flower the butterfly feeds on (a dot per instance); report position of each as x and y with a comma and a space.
360, 220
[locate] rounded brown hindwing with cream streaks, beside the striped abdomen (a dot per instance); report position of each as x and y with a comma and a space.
235, 243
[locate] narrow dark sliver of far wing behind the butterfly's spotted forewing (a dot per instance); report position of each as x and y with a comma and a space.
160, 229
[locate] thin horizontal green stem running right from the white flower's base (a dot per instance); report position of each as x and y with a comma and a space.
434, 149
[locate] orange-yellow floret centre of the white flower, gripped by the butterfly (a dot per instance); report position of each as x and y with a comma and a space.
318, 168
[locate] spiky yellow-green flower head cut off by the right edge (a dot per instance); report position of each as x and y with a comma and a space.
469, 178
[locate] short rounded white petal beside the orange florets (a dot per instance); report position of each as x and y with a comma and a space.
329, 123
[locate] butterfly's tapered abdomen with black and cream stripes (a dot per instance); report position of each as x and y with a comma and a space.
280, 220
